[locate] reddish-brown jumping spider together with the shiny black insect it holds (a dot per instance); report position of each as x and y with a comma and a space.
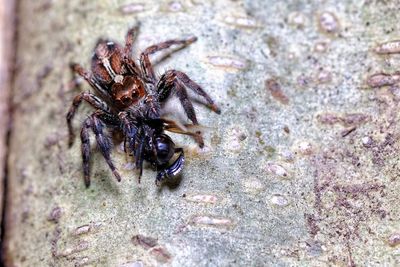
129, 100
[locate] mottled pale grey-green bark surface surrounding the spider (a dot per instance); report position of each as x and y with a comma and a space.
301, 170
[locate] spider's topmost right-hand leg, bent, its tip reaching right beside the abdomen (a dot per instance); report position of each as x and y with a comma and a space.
145, 63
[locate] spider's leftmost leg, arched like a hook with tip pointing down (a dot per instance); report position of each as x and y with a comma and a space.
90, 98
